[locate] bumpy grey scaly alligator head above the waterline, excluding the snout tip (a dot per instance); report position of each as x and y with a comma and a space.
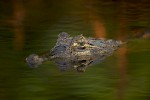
78, 46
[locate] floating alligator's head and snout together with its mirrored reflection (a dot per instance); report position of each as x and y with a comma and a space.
77, 52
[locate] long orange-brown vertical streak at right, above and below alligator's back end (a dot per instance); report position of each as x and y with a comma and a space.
122, 52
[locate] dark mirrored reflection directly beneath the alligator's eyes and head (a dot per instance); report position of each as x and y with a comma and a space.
78, 65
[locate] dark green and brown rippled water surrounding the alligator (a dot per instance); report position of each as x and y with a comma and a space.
32, 27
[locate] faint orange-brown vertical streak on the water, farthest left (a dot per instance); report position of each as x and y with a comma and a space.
18, 18
